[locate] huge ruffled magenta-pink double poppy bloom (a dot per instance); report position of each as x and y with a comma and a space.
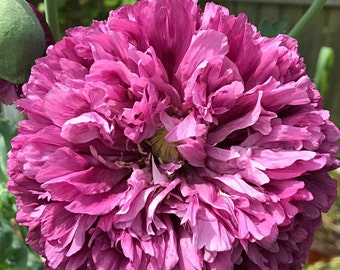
172, 138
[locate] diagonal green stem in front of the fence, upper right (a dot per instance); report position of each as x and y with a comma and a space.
313, 10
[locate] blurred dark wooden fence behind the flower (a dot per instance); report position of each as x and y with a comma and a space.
324, 31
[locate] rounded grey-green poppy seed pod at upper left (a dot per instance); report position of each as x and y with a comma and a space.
22, 40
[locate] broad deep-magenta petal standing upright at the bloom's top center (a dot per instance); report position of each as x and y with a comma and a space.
179, 19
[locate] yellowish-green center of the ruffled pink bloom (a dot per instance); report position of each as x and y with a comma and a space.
161, 148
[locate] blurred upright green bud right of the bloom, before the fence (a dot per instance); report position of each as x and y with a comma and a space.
323, 69
